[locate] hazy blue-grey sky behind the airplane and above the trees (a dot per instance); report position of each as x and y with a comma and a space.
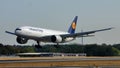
58, 15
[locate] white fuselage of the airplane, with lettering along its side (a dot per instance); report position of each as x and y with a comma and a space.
36, 33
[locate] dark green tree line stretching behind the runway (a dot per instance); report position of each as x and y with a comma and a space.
89, 49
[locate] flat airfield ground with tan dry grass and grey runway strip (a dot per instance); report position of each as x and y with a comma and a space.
60, 62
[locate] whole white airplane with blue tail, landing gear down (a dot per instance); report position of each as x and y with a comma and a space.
26, 33
